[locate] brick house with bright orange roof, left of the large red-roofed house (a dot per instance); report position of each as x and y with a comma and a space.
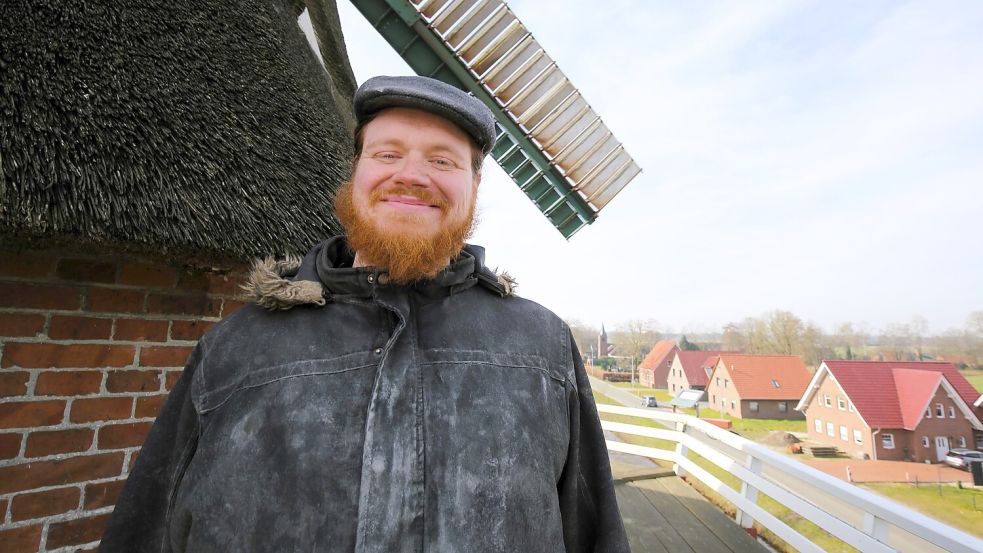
758, 386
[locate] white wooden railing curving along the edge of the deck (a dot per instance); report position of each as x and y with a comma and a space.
860, 518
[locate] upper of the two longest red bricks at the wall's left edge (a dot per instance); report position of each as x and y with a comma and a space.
81, 356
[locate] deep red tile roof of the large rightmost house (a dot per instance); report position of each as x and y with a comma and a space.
892, 394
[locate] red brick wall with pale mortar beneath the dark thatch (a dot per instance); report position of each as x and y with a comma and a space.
89, 347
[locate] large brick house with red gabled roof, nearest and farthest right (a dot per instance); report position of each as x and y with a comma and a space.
892, 410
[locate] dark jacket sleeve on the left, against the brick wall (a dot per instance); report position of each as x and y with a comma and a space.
139, 521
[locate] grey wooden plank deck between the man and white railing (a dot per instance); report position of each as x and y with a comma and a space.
663, 514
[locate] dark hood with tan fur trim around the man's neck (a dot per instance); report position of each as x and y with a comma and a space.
327, 271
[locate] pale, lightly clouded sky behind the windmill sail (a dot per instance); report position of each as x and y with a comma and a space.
824, 158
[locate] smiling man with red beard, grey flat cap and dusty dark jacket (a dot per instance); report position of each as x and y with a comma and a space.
394, 396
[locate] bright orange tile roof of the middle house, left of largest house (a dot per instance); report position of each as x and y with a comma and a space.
753, 375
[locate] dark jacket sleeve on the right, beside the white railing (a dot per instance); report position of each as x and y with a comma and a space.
591, 519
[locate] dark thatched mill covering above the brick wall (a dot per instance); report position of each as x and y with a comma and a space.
180, 127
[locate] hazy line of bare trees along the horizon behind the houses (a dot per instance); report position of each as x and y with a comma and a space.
783, 333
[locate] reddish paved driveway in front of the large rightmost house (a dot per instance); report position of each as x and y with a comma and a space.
887, 471
